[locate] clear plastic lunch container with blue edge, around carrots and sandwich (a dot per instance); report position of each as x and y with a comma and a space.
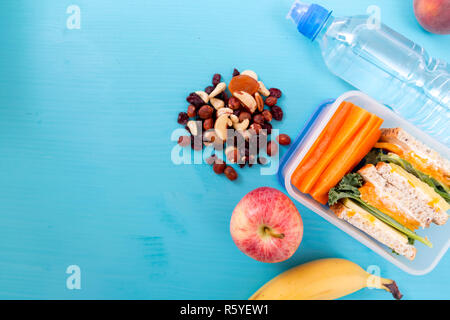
426, 258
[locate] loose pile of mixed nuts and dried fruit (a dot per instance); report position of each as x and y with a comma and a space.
237, 120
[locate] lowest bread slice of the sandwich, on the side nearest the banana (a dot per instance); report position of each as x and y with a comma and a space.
363, 220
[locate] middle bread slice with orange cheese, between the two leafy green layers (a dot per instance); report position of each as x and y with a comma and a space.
378, 192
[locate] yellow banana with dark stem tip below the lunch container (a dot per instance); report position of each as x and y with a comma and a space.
325, 279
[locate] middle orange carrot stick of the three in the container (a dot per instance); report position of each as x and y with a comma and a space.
353, 122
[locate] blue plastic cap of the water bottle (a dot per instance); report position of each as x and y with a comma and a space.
309, 18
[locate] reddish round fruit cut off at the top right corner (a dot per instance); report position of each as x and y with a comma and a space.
433, 15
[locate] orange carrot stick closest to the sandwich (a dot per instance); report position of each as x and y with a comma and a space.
348, 158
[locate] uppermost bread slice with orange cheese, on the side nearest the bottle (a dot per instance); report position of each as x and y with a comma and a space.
415, 152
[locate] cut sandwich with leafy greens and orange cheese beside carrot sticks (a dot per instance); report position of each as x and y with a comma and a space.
401, 186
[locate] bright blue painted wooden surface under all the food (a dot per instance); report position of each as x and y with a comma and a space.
86, 176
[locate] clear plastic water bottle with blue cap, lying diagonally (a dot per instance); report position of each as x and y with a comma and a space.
382, 63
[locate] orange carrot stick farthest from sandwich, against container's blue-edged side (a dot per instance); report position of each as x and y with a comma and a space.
321, 143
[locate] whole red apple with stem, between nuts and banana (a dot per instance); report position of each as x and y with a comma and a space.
266, 225
